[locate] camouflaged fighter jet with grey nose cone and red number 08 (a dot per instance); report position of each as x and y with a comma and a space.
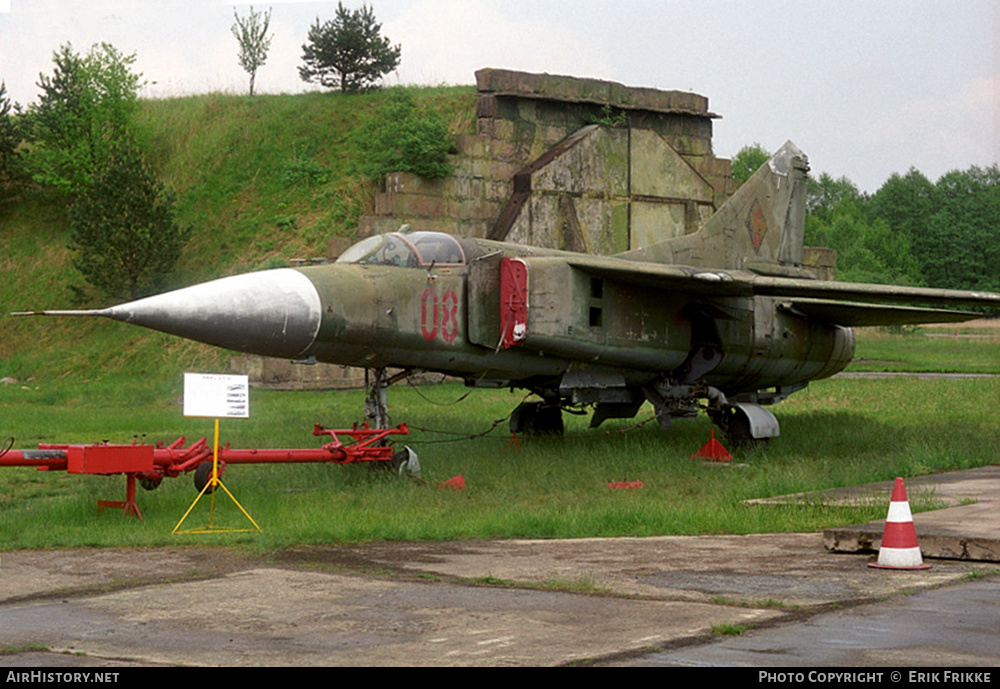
725, 320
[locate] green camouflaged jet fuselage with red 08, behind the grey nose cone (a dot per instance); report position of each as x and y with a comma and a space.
451, 319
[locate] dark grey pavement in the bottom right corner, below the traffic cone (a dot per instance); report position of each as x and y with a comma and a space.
954, 627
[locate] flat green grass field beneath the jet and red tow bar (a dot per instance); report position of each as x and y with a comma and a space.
836, 433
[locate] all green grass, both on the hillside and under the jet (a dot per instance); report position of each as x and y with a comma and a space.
266, 179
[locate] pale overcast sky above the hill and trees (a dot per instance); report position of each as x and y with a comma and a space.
864, 88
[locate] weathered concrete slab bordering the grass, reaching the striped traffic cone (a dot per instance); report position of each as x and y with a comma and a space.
788, 572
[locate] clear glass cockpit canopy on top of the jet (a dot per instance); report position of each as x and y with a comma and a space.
409, 250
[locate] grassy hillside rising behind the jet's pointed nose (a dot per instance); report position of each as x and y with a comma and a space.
259, 180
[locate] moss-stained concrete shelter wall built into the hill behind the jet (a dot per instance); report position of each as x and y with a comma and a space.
570, 163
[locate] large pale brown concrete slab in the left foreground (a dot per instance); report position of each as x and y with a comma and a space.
279, 617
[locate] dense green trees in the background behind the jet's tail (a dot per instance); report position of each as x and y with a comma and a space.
911, 231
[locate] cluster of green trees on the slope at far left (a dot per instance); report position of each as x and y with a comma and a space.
78, 143
